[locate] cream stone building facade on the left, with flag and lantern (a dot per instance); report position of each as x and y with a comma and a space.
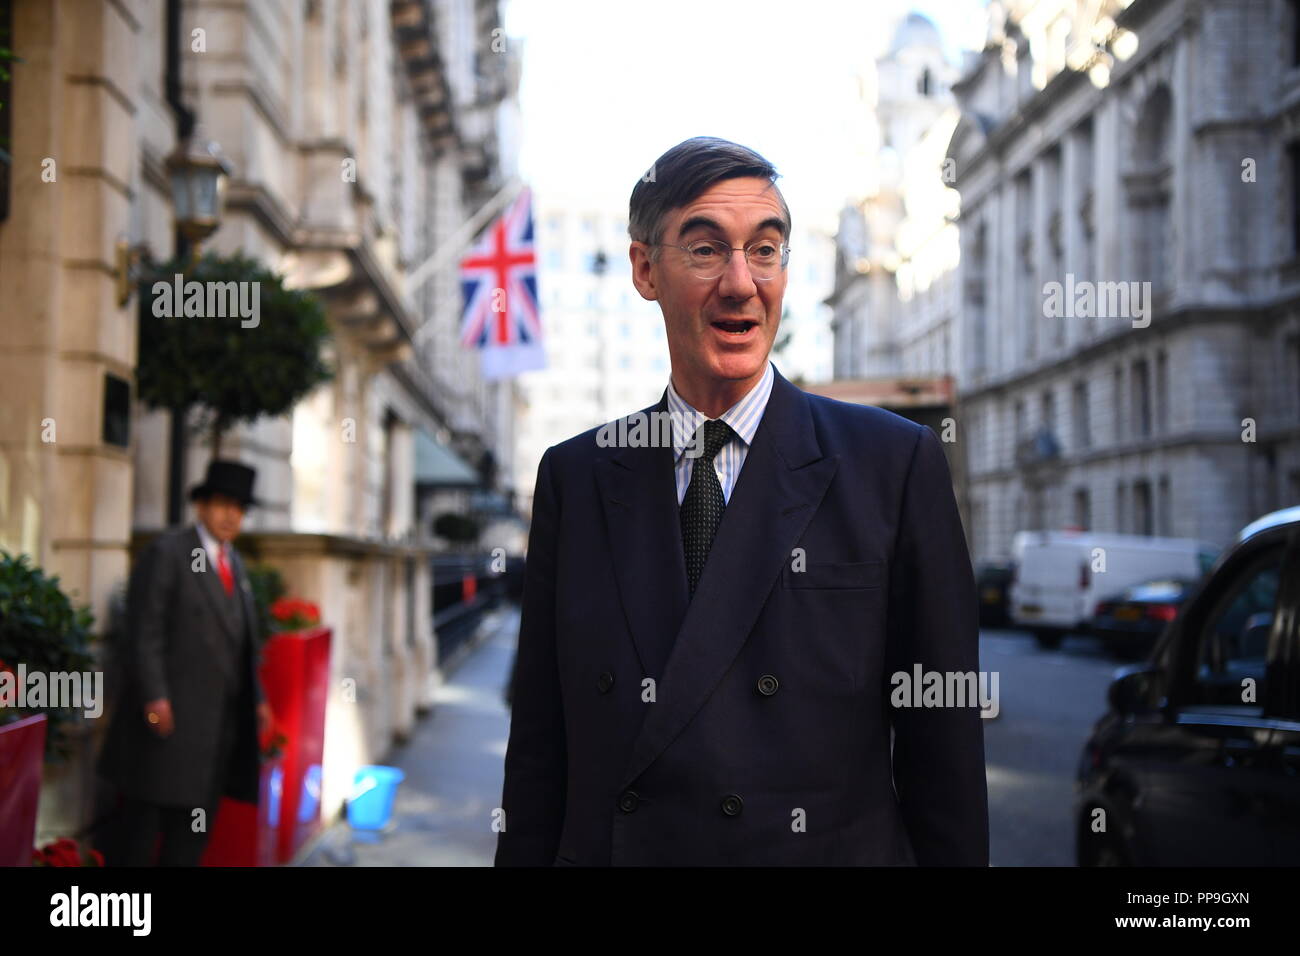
362, 136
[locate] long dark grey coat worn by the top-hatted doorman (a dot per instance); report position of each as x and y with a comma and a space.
190, 642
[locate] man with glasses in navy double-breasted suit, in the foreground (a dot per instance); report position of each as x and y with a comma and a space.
713, 624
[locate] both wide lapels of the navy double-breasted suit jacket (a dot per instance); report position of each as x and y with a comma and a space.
779, 490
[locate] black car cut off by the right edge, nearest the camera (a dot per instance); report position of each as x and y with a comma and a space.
1198, 760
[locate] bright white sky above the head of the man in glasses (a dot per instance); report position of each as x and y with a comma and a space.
610, 86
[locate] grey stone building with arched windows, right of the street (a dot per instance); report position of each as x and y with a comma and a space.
1142, 155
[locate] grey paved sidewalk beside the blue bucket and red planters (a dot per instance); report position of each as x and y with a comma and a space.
453, 764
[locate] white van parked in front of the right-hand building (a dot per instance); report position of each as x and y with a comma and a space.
1061, 576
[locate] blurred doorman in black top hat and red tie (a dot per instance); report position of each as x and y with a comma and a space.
188, 719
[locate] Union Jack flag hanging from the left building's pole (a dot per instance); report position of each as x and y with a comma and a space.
499, 282
